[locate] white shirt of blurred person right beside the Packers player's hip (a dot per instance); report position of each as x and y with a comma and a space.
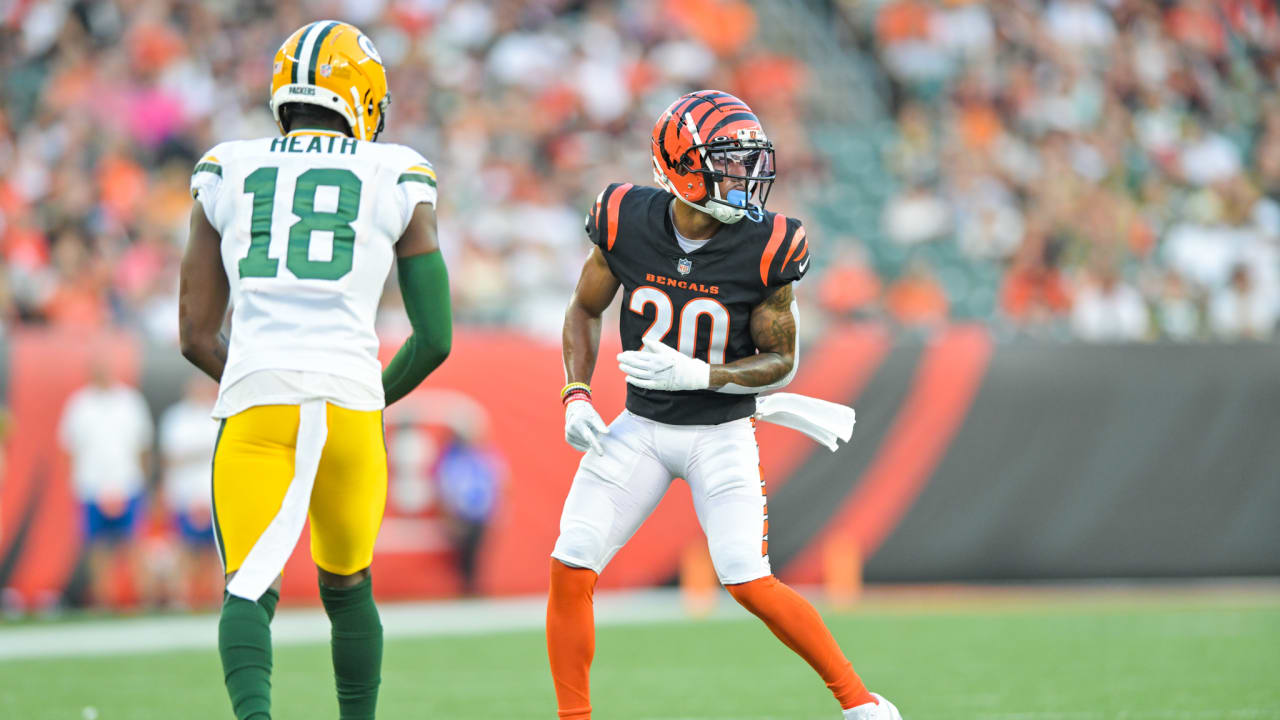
188, 438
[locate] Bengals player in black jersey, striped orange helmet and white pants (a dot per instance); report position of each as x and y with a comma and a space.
708, 322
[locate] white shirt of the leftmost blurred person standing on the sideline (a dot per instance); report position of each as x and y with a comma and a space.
107, 431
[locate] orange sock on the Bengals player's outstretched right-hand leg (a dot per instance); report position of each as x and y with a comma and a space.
801, 628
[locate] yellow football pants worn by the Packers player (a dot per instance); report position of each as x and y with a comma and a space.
254, 466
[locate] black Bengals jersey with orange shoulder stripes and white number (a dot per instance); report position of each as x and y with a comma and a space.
698, 303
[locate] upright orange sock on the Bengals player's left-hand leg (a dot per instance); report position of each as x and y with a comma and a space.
572, 639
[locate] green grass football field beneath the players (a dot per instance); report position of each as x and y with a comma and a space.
1122, 658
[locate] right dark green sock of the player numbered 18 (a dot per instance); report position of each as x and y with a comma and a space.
358, 648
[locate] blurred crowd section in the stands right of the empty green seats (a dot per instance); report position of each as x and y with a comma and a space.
1118, 161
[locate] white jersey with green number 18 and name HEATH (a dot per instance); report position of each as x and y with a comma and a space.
309, 224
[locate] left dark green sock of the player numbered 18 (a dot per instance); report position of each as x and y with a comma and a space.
245, 644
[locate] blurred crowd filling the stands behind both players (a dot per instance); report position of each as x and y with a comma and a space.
1116, 163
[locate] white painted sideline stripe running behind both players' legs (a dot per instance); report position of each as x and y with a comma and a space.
310, 626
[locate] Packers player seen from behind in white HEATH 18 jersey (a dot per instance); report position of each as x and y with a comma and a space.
300, 233
